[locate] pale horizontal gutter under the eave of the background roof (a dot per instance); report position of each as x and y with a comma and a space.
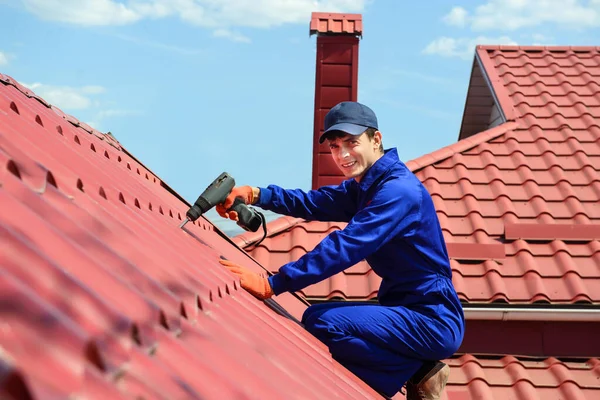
532, 314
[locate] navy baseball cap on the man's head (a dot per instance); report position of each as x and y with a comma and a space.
350, 117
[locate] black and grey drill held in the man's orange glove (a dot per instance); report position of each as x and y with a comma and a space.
216, 193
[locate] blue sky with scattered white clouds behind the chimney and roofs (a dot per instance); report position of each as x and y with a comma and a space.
196, 87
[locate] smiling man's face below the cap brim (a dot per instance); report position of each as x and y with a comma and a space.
354, 155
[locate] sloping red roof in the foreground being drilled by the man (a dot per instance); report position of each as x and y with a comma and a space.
99, 285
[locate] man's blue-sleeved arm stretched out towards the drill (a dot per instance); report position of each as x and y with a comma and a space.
328, 203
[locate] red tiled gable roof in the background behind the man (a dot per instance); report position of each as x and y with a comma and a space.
518, 202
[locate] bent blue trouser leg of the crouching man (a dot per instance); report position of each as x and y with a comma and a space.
384, 346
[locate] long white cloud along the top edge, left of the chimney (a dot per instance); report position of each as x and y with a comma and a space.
214, 14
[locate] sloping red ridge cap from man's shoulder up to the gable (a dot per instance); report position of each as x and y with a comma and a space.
460, 146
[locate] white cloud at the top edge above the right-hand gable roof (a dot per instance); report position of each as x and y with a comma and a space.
515, 14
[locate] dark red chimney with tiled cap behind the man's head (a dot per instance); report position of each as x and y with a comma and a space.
336, 80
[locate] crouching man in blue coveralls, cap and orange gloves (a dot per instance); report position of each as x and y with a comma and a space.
392, 224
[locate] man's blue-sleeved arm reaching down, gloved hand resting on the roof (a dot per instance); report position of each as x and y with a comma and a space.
394, 210
